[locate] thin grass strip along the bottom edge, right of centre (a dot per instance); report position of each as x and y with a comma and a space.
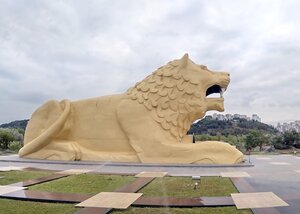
204, 210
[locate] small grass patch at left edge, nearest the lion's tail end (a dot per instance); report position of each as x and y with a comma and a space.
17, 176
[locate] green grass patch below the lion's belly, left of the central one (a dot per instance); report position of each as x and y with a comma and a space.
84, 183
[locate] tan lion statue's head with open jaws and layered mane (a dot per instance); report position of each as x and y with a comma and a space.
176, 94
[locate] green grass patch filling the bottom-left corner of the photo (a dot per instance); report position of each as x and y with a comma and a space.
27, 207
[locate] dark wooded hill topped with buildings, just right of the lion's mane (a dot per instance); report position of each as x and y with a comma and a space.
229, 127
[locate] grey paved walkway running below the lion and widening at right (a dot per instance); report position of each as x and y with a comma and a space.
279, 174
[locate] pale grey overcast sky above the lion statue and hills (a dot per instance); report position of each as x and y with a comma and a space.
80, 49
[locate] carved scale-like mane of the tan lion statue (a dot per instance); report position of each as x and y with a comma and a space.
171, 95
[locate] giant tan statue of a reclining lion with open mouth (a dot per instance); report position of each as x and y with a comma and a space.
146, 124
